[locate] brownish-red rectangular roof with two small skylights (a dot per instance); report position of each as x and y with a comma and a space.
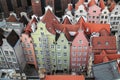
104, 43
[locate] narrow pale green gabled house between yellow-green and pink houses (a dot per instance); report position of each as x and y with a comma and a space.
62, 52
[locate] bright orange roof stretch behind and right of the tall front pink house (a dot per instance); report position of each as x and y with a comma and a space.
94, 27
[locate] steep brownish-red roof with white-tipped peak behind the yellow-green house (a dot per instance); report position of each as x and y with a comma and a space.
49, 18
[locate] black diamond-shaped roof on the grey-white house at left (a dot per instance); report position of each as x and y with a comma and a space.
12, 38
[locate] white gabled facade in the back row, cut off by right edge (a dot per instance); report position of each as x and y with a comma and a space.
115, 18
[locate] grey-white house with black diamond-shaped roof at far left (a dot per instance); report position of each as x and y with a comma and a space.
13, 54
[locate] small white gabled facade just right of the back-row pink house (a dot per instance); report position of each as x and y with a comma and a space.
105, 16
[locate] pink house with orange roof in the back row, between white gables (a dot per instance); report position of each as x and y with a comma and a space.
93, 12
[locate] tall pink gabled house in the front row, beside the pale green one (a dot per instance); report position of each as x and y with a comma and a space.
79, 52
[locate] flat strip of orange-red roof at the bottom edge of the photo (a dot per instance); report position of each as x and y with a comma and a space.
64, 77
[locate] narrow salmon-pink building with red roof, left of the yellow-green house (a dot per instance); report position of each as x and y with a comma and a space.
27, 44
